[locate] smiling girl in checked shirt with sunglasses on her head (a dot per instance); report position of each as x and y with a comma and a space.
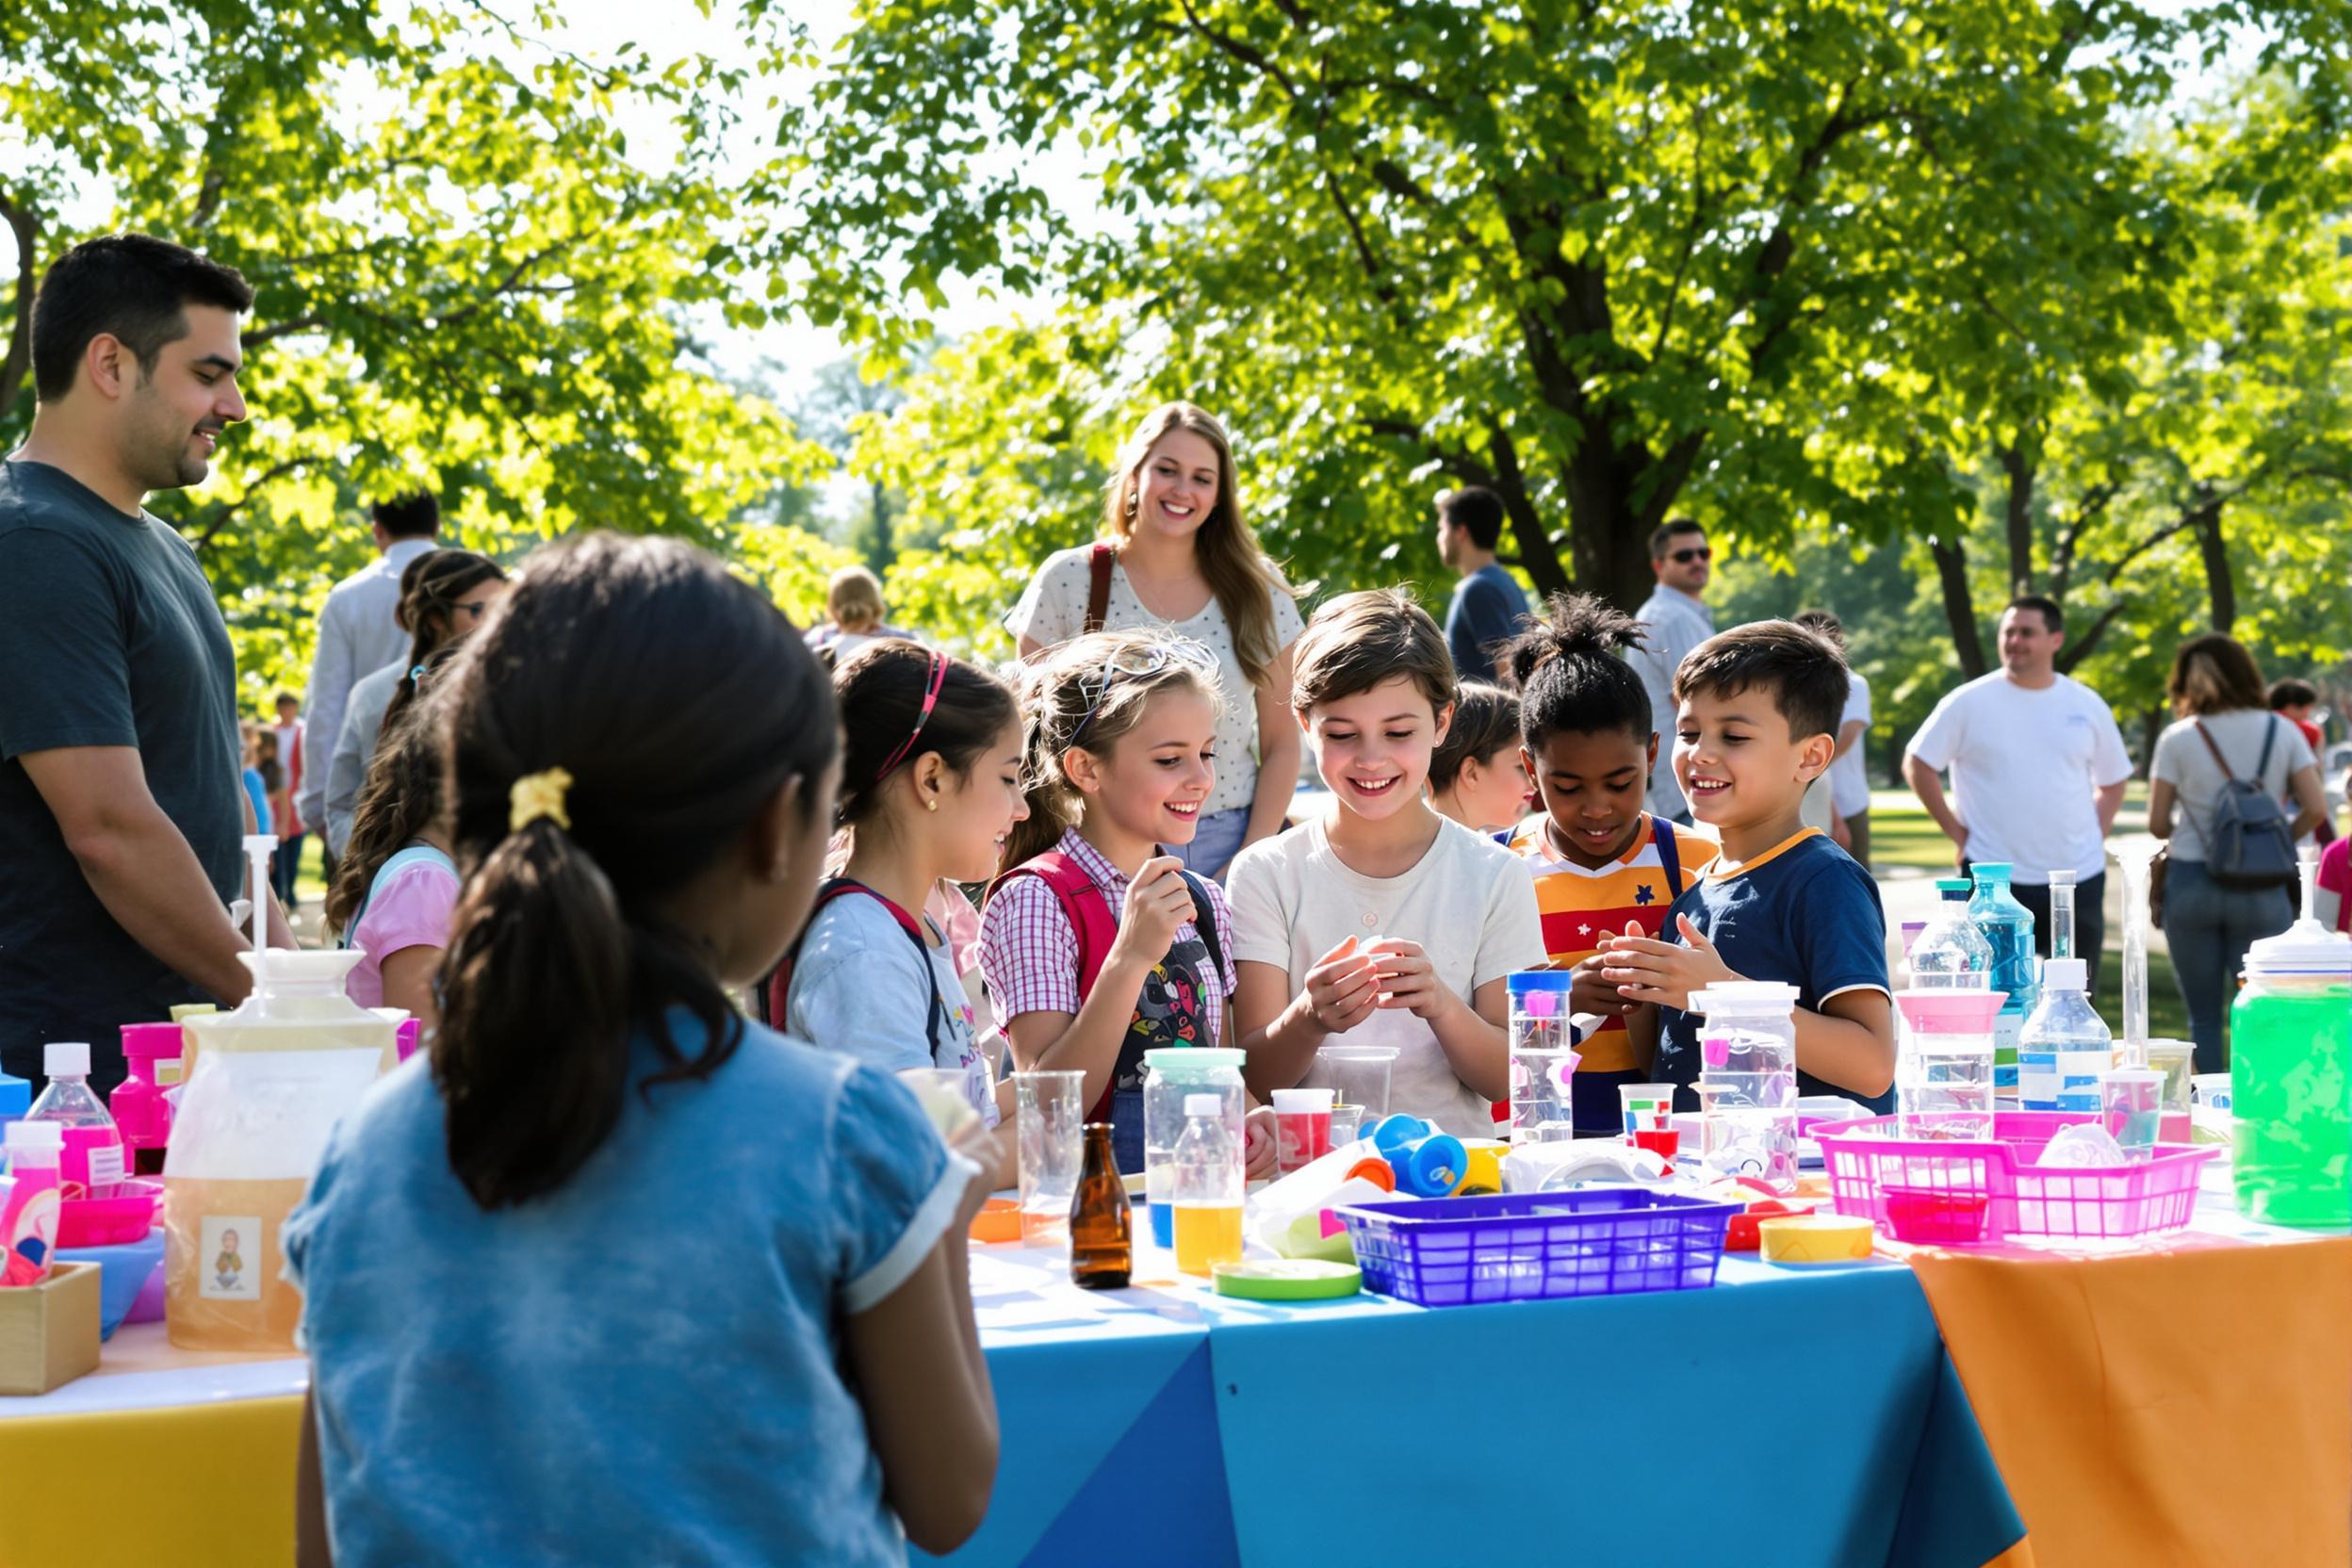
1097, 944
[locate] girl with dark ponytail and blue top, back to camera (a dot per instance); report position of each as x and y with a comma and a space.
603, 1207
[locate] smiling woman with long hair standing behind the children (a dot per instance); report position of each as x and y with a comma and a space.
1177, 556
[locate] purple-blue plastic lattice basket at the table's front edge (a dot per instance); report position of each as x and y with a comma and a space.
1537, 1245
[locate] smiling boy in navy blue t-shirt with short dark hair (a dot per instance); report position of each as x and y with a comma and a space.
1758, 723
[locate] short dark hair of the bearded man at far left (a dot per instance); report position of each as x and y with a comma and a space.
133, 288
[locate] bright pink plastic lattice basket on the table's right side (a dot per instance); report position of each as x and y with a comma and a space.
1972, 1191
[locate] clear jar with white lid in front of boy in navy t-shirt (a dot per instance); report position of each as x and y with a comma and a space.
1749, 1080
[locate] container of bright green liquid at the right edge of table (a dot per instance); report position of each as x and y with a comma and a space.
2292, 1073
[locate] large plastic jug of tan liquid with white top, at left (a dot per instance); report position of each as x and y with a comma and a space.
267, 1087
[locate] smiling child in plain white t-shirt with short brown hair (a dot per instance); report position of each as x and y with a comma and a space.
1379, 923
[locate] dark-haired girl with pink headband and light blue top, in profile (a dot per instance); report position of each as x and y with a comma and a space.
930, 796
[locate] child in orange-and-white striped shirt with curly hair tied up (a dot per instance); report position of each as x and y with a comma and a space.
1603, 864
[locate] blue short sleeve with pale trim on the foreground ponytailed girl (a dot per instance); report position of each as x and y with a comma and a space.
895, 1188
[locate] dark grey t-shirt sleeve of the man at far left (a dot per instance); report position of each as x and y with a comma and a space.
62, 659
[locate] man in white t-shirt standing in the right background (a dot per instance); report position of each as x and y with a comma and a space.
2038, 772
